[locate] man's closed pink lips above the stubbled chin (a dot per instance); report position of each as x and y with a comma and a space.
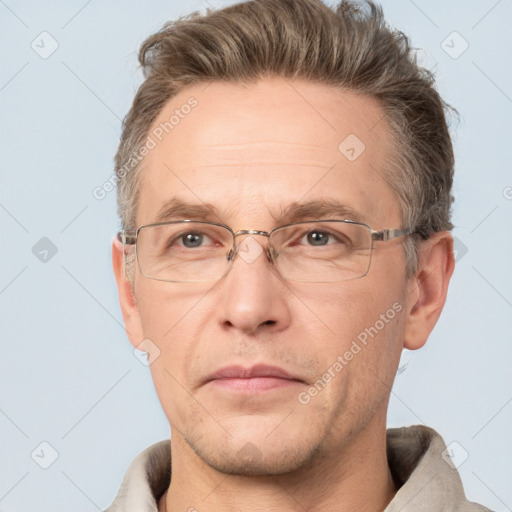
254, 379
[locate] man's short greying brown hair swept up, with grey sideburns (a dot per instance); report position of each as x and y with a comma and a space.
350, 47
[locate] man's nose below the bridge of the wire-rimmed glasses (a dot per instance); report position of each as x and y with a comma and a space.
252, 295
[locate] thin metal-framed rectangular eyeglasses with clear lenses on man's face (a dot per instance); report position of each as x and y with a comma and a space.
319, 251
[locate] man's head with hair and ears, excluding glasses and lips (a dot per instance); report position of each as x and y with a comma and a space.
244, 115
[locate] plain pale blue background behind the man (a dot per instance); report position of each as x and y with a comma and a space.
68, 374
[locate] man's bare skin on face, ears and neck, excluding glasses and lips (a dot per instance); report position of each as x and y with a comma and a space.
250, 150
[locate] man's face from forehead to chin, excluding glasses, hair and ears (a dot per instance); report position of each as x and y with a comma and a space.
251, 152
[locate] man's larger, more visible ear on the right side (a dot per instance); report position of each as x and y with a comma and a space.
428, 288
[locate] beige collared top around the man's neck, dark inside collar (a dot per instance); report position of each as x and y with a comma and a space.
424, 474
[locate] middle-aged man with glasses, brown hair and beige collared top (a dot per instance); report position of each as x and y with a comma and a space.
284, 187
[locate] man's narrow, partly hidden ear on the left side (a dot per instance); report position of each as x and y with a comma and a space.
127, 300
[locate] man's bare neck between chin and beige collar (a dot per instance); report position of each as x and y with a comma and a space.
355, 478
